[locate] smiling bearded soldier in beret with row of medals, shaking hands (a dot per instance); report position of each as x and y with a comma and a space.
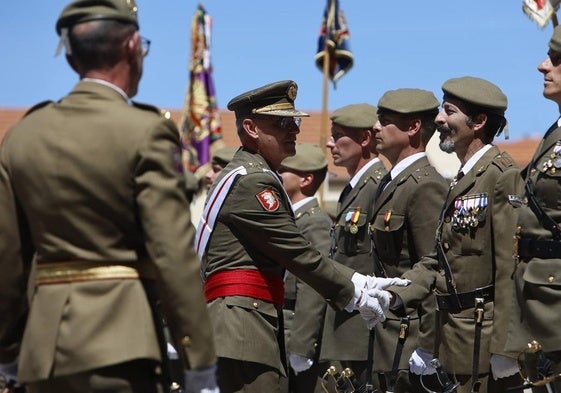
471, 266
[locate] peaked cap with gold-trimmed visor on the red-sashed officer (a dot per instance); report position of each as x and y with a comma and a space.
275, 99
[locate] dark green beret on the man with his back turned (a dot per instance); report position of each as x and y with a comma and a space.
80, 11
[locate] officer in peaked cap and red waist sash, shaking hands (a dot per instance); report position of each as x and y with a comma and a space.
247, 238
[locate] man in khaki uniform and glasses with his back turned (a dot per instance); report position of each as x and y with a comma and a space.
91, 188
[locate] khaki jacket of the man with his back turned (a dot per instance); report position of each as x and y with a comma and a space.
92, 178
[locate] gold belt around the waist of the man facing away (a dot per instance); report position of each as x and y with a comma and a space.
77, 271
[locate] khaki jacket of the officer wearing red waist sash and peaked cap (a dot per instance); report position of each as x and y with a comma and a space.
248, 236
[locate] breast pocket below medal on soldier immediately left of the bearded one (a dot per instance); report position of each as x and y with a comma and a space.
388, 236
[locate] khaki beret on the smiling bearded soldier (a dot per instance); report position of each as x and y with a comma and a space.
478, 92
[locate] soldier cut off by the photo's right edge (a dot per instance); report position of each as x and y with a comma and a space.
538, 256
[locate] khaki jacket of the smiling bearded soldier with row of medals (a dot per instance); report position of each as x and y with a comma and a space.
478, 256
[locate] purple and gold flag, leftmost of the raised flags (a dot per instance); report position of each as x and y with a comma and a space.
200, 124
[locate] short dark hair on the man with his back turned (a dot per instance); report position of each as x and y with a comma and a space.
100, 45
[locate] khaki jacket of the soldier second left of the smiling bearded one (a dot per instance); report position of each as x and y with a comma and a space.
345, 336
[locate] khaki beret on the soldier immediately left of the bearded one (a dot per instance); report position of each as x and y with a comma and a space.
407, 101
